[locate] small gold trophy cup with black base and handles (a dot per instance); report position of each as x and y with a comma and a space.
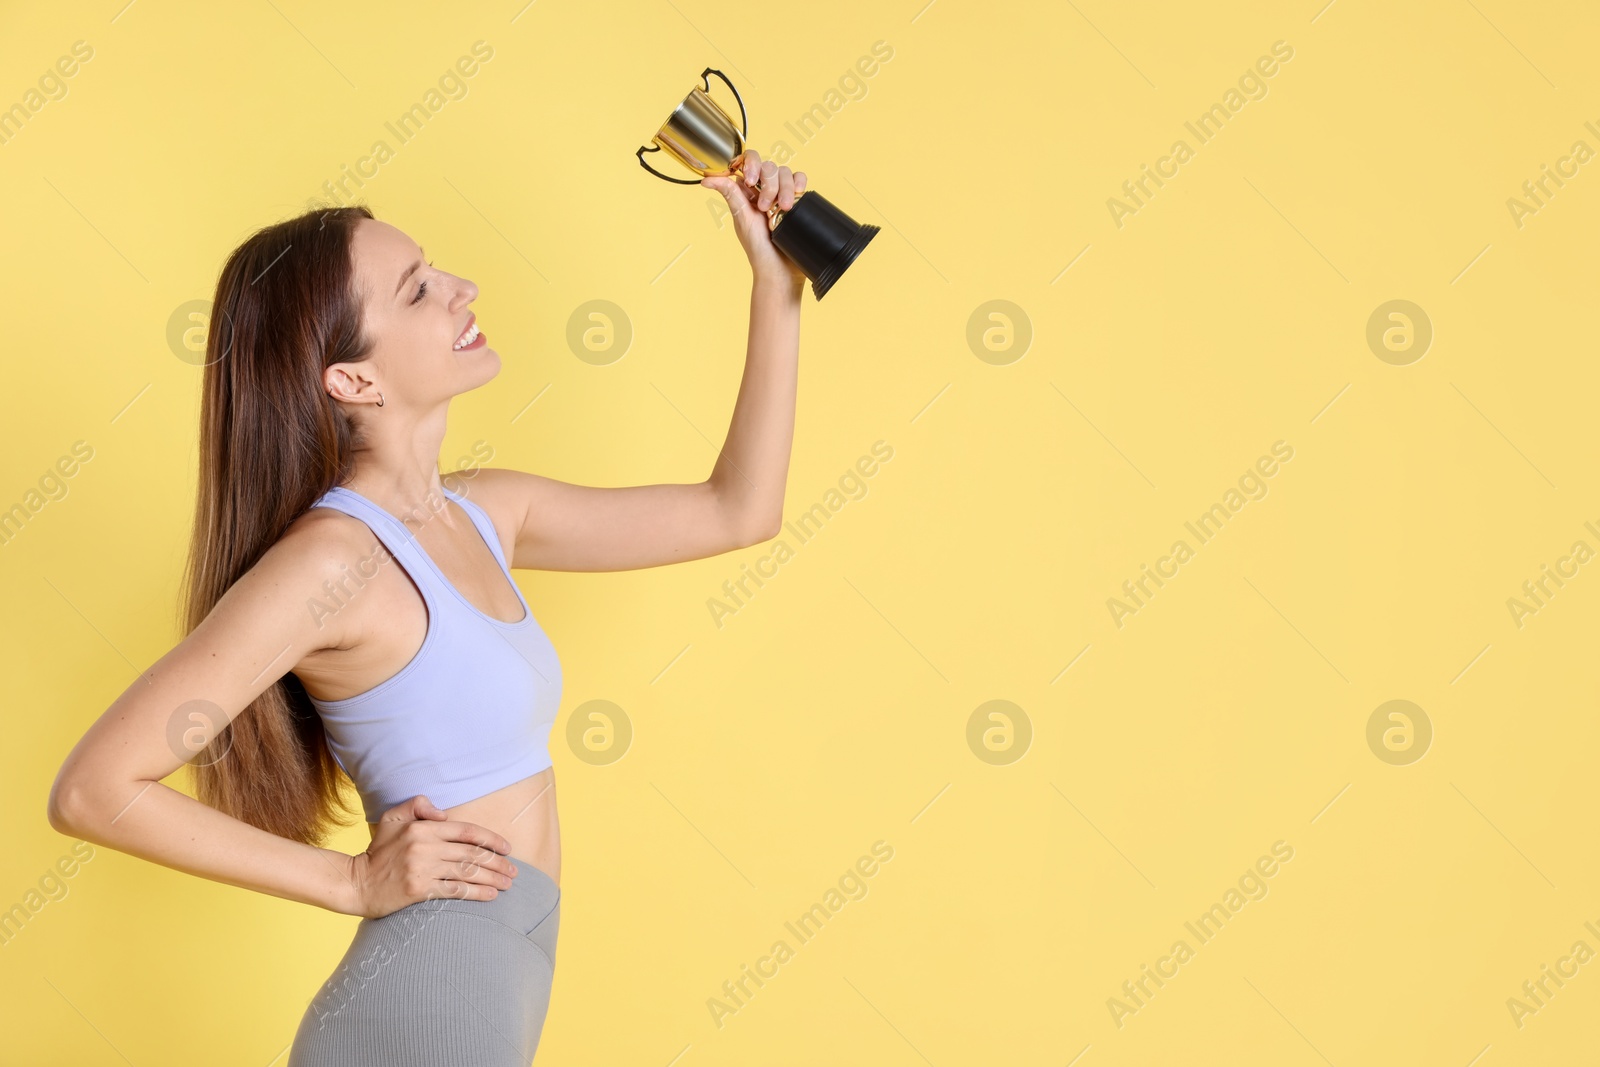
817, 236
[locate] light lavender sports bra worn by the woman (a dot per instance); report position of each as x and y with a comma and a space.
474, 708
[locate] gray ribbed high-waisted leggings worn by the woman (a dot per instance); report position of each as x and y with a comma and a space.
439, 983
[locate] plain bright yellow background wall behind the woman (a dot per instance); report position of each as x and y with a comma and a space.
831, 713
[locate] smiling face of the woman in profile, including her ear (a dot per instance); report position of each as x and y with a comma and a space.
415, 316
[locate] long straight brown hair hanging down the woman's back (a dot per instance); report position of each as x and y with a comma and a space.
271, 442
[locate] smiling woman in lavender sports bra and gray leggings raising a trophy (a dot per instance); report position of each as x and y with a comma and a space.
350, 610
